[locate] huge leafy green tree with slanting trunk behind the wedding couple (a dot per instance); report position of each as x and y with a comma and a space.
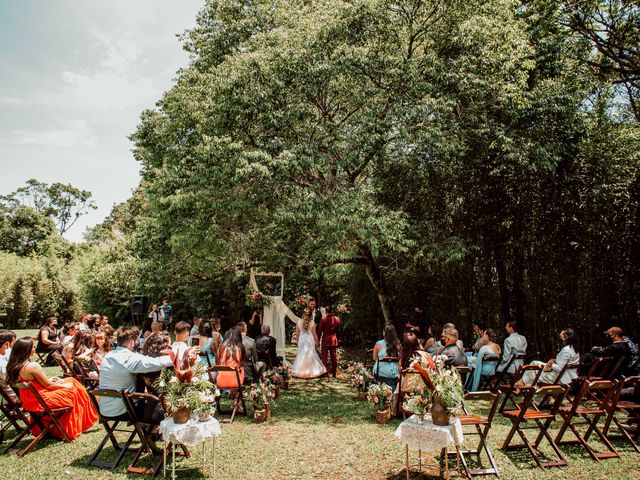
273, 146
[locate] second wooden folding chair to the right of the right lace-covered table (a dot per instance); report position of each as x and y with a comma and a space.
528, 413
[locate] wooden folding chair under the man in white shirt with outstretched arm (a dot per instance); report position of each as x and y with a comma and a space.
110, 425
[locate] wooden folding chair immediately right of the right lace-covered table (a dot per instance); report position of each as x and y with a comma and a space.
481, 425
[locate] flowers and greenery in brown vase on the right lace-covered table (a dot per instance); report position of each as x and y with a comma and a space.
444, 393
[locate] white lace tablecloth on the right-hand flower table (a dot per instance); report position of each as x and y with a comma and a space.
428, 436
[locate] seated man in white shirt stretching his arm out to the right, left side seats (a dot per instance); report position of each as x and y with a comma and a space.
119, 368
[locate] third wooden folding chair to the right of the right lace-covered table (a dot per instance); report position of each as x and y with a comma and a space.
591, 413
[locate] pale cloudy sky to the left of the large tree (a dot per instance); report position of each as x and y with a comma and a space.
75, 75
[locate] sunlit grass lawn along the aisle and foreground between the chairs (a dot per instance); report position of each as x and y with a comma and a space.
319, 430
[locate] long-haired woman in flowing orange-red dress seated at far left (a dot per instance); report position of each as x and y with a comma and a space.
56, 392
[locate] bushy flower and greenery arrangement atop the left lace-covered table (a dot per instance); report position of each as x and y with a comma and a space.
188, 389
